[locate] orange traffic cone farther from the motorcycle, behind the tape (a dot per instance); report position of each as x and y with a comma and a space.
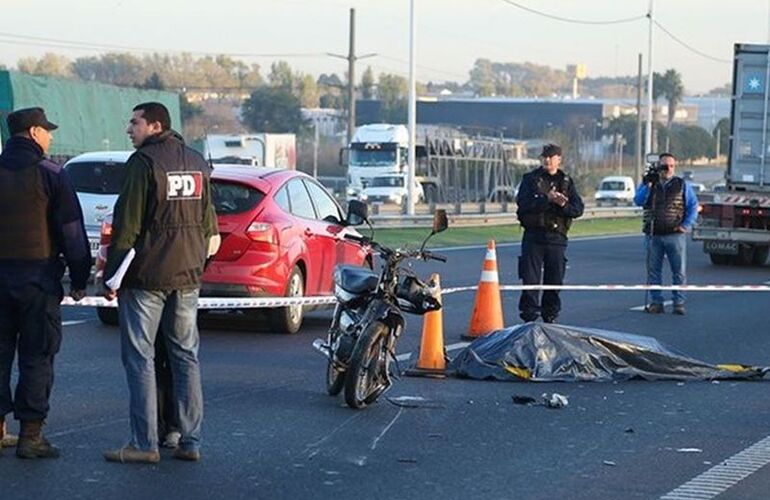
488, 308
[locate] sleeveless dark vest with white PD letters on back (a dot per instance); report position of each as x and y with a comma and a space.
171, 249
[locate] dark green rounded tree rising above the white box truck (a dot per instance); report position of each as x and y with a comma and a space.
273, 109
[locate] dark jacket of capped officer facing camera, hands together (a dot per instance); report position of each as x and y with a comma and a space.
543, 221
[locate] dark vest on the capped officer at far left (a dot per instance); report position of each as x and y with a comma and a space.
24, 207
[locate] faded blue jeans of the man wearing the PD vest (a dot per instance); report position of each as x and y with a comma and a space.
141, 312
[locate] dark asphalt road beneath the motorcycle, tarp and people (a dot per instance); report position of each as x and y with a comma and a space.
271, 431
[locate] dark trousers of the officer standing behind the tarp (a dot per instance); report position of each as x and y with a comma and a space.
541, 263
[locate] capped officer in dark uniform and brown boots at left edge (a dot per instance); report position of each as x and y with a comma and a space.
40, 220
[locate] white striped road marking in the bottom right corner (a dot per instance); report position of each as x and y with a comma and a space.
725, 475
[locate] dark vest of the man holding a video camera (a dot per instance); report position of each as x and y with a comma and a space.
664, 208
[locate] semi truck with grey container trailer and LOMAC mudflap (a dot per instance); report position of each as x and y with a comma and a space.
734, 224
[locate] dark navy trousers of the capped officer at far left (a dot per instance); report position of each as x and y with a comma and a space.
30, 322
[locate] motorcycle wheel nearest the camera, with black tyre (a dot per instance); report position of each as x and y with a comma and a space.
363, 381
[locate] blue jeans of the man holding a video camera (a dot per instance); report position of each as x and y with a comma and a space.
673, 247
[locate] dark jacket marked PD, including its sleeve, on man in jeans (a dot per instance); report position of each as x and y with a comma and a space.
164, 213
